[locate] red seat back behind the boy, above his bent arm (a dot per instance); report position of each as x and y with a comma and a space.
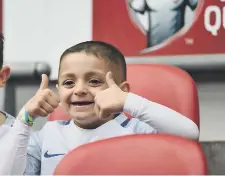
167, 85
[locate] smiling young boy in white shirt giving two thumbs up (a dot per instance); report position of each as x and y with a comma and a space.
94, 92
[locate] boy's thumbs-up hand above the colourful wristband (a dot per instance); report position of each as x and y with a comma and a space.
44, 102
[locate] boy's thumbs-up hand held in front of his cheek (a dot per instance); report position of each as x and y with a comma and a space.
110, 100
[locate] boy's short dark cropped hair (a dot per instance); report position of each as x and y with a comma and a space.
101, 50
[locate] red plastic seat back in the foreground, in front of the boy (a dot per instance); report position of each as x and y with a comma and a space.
135, 155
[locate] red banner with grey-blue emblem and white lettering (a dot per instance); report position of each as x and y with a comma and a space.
161, 27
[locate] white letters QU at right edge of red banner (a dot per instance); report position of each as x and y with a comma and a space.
219, 19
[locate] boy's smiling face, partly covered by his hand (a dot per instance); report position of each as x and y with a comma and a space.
81, 75
